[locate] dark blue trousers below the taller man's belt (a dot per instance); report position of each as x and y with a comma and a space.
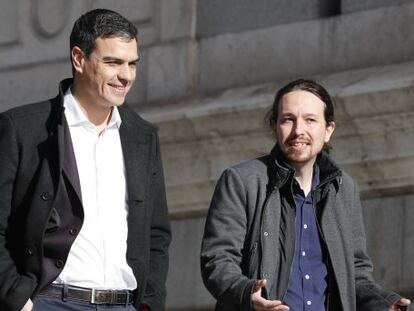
45, 303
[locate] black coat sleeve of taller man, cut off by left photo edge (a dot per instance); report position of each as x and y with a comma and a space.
15, 288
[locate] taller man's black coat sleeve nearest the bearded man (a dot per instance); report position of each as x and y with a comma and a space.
155, 291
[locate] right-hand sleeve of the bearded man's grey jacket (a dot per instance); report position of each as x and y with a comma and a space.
369, 294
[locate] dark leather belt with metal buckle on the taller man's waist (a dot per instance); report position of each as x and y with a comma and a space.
95, 296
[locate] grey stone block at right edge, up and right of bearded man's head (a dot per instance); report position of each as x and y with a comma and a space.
368, 38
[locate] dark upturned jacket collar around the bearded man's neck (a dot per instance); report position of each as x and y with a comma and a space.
283, 171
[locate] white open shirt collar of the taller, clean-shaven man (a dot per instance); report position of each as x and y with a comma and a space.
75, 116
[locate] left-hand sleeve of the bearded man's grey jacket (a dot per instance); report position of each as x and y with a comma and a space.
222, 244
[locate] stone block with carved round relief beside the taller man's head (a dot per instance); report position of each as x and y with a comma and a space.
43, 29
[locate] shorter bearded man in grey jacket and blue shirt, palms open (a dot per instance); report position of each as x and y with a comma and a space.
285, 231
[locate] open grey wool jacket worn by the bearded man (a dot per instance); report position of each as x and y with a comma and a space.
250, 234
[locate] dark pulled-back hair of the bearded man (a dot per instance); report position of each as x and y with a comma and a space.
308, 86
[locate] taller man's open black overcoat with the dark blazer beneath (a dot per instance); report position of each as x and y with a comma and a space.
40, 202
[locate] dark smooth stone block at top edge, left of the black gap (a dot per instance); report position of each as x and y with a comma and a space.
216, 17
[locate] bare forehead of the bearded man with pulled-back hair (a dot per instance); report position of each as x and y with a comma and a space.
300, 101
